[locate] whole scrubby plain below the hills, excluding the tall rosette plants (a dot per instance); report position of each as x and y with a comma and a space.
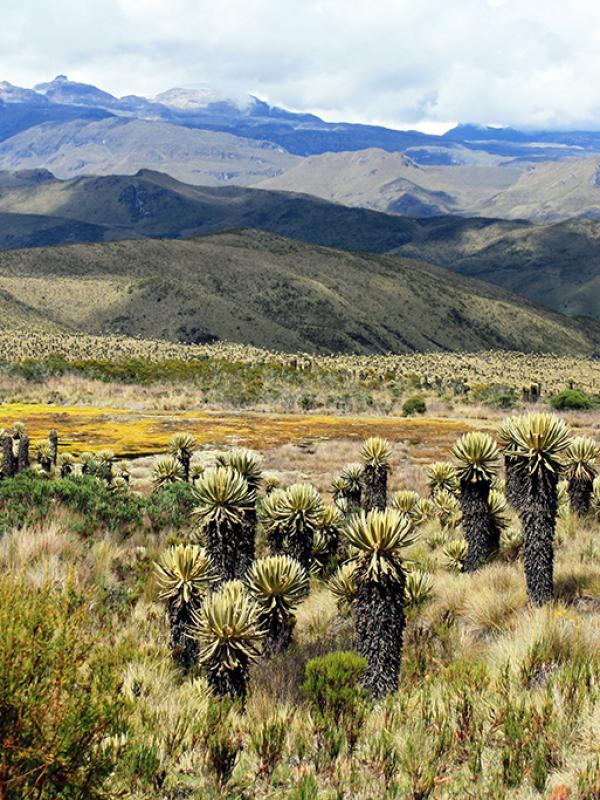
496, 697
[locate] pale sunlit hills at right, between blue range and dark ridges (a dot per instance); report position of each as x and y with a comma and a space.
391, 182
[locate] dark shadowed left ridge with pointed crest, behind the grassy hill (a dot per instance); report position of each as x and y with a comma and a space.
153, 204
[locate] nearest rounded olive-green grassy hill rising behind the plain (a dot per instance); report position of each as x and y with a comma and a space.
271, 292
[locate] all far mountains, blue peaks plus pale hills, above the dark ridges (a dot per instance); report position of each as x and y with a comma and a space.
199, 137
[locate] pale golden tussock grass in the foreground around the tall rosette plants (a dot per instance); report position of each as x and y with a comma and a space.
456, 651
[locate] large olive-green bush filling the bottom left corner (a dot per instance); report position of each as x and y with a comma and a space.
59, 696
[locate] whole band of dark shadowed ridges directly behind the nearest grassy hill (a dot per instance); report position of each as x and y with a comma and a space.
556, 264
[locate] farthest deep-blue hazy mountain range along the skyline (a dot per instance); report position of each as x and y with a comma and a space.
62, 100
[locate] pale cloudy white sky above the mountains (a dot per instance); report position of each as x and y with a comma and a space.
423, 64
